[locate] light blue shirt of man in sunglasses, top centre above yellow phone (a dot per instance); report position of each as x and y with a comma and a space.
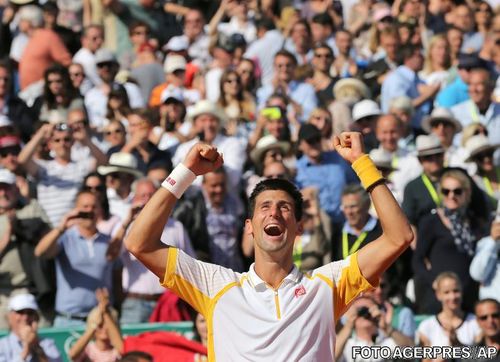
300, 92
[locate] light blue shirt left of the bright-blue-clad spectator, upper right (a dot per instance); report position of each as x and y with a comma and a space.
403, 82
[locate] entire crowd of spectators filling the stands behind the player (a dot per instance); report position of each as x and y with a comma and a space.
99, 100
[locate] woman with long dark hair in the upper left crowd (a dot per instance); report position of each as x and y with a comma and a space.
58, 96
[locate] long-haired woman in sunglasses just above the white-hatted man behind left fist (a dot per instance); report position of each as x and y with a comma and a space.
238, 104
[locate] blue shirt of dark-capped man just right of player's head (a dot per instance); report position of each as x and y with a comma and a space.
330, 177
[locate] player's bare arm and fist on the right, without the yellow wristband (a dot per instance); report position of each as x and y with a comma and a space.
377, 256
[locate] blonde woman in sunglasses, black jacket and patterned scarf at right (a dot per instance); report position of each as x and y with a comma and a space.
447, 242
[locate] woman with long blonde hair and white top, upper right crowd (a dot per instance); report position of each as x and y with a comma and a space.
437, 61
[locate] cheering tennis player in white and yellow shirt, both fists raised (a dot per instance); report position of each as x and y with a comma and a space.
273, 310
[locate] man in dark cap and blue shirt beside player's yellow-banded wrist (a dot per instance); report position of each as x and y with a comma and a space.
323, 170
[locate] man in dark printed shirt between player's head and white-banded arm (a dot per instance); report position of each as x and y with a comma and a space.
224, 219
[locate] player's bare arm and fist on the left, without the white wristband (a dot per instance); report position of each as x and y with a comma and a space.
143, 240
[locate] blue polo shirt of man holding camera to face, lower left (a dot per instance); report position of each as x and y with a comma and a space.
81, 268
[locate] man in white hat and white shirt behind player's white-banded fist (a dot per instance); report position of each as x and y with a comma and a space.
208, 121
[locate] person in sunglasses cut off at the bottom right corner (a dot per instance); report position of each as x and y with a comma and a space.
488, 318
